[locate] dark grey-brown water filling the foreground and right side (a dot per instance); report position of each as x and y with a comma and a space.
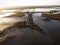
26, 36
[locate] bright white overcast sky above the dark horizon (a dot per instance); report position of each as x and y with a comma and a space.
5, 3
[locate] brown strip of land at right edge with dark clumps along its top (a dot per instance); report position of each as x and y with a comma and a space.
52, 15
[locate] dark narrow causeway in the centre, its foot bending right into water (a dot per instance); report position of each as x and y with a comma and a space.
31, 23
